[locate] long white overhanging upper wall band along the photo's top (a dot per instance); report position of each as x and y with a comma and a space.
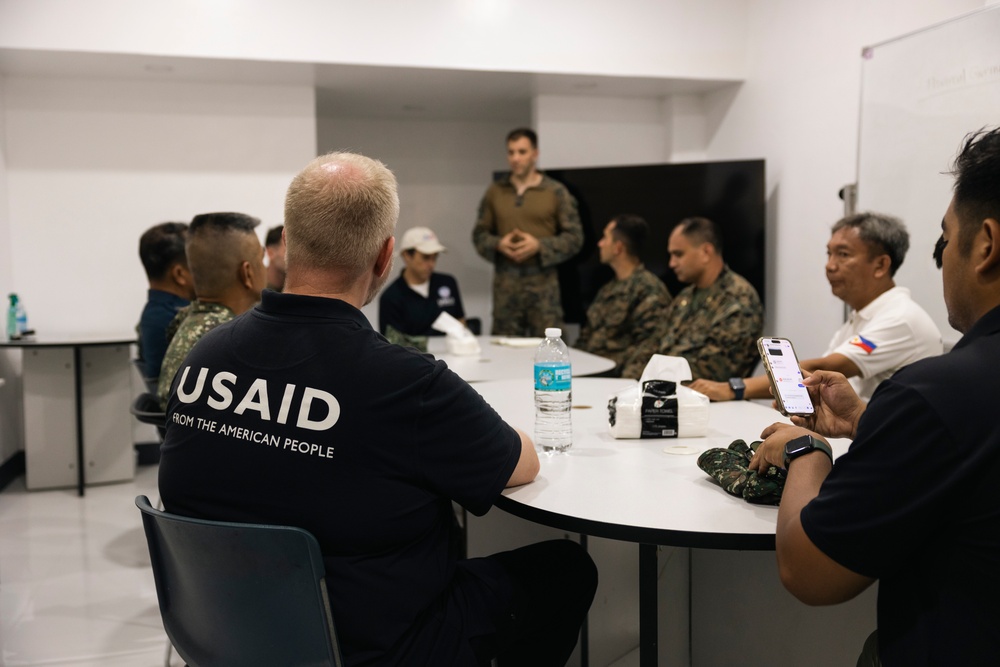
703, 39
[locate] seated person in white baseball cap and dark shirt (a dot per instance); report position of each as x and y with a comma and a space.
411, 303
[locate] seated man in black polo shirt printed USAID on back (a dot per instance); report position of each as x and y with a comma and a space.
299, 413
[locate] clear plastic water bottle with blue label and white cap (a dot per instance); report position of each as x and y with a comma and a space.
553, 393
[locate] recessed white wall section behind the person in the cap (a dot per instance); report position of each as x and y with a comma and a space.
443, 168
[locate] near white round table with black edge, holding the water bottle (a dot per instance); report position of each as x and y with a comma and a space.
637, 490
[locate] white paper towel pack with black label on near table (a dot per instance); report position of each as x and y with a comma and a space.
658, 409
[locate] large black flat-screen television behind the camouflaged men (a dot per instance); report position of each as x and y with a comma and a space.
729, 193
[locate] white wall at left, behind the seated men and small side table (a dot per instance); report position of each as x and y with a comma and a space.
92, 164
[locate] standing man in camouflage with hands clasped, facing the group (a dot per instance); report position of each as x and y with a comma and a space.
528, 224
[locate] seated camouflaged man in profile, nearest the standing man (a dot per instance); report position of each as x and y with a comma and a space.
630, 308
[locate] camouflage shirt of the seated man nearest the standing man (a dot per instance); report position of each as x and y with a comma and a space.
624, 313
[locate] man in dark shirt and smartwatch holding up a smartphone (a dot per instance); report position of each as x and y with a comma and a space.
913, 503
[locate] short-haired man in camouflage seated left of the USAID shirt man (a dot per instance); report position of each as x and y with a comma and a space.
227, 262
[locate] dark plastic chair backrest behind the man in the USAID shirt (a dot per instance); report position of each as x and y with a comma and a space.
240, 594
